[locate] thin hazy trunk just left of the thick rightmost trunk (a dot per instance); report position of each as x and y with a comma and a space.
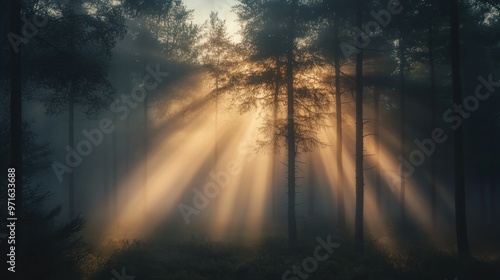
433, 121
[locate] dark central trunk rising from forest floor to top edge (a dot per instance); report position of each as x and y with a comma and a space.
292, 226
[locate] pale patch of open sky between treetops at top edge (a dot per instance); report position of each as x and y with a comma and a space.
202, 9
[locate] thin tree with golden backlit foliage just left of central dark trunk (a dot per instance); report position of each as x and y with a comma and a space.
263, 44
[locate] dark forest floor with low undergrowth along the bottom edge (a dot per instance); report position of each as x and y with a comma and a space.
272, 259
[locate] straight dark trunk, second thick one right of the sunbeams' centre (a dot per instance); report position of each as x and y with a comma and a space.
358, 223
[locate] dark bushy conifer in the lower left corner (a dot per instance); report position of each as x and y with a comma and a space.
38, 244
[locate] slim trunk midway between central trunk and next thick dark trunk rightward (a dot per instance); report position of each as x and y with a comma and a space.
338, 110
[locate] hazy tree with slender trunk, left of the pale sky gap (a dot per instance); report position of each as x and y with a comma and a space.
165, 32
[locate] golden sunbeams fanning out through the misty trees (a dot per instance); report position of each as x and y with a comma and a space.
191, 154
